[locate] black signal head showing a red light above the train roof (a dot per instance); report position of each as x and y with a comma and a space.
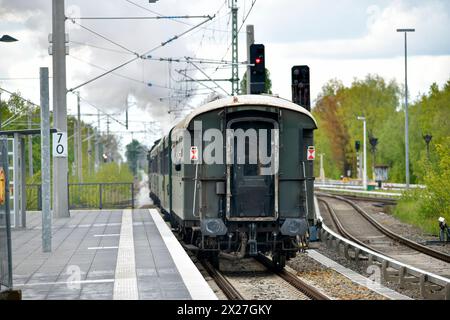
257, 69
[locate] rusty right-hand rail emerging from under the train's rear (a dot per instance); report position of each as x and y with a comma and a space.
293, 280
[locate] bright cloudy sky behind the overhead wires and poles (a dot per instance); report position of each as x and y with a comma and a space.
344, 40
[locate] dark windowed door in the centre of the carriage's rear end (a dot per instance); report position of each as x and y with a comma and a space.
252, 188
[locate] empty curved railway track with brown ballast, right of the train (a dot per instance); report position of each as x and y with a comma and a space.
355, 224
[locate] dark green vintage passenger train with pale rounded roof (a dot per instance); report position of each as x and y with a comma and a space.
234, 180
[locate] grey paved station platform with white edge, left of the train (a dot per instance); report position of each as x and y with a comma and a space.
105, 255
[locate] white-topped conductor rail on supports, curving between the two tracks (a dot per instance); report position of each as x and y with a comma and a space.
431, 286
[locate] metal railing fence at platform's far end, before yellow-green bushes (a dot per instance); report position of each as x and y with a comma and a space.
89, 196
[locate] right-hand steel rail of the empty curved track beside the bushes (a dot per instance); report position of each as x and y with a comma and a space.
409, 243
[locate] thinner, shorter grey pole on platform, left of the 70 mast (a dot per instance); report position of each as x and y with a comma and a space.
45, 163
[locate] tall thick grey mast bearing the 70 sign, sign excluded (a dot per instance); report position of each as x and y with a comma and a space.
60, 164
